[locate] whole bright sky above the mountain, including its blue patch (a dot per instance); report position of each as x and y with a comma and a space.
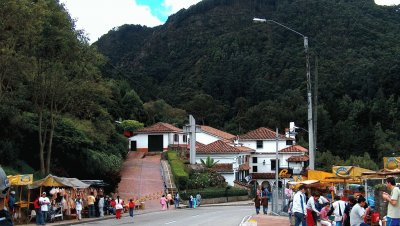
97, 17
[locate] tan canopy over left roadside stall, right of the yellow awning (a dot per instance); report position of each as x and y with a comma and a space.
54, 181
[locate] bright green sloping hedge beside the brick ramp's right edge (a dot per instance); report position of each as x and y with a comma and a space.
178, 170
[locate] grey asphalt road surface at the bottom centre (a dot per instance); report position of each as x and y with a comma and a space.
212, 215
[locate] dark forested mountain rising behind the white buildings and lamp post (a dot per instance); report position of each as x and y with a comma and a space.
214, 62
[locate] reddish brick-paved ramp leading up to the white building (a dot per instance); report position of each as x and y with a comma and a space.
141, 179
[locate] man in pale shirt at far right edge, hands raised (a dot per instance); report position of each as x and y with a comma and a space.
393, 212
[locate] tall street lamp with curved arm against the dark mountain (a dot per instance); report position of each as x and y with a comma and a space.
309, 98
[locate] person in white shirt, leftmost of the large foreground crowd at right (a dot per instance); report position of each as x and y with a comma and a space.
299, 207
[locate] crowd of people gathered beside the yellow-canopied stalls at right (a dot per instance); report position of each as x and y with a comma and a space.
308, 207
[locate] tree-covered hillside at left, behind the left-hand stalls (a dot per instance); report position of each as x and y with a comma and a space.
57, 111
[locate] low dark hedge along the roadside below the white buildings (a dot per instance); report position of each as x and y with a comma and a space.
209, 193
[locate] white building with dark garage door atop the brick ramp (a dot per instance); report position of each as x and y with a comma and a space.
157, 137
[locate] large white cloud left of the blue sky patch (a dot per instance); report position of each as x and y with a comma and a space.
97, 17
